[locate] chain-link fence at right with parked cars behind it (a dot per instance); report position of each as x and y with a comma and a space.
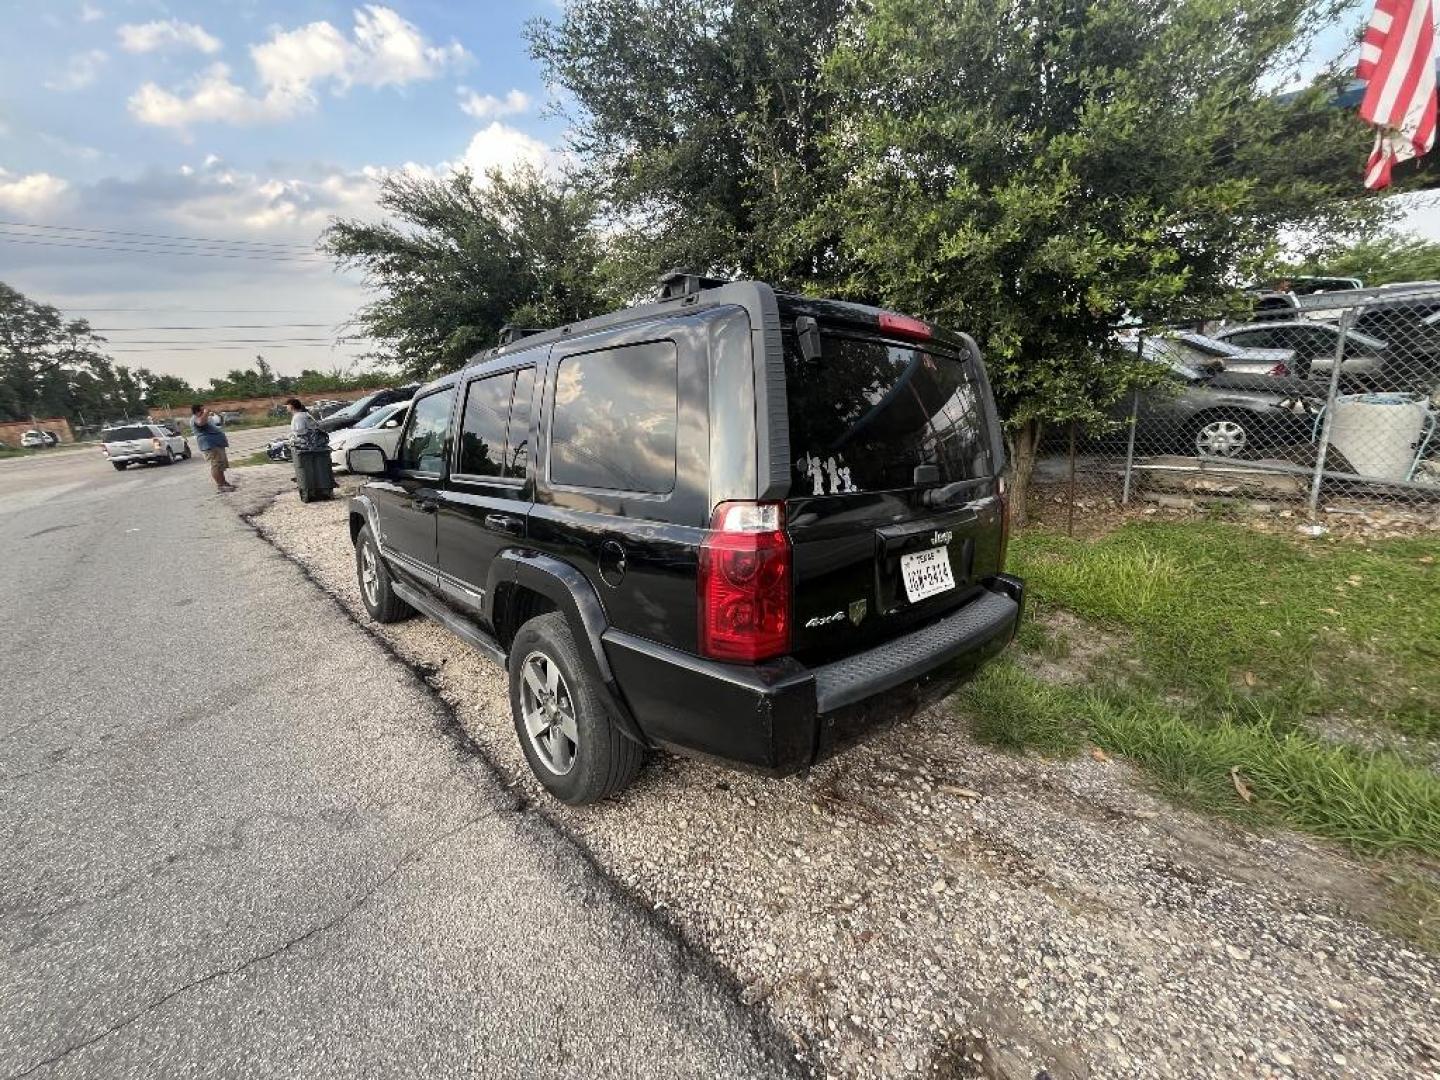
1328, 401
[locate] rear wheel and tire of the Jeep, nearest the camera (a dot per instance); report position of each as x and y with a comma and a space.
575, 752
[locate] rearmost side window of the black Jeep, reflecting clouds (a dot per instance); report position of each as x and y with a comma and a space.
614, 424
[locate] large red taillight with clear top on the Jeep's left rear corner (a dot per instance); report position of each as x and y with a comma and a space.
745, 584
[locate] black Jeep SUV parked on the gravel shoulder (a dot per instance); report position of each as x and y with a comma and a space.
735, 523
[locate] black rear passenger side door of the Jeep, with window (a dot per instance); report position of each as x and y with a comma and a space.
487, 498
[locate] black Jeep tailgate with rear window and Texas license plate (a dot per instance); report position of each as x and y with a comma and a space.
895, 512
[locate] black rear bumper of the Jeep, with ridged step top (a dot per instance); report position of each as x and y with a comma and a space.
781, 718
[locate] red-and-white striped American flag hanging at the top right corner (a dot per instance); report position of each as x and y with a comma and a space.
1398, 60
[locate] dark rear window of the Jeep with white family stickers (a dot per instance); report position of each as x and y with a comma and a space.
866, 413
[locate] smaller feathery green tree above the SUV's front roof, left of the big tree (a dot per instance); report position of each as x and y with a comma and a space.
464, 258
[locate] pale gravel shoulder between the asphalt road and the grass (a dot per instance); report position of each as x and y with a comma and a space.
927, 906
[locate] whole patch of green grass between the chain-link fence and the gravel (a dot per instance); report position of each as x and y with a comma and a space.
1209, 653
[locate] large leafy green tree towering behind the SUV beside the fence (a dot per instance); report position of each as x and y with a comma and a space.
1033, 172
